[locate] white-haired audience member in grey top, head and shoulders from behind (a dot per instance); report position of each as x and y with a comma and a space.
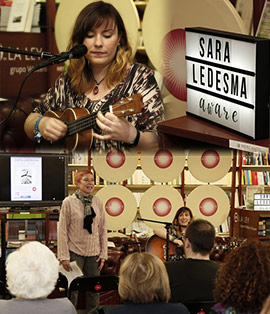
32, 272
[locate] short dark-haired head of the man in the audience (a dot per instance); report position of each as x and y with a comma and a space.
201, 236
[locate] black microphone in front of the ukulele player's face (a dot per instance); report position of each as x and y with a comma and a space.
75, 52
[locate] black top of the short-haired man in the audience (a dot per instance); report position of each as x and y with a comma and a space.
191, 280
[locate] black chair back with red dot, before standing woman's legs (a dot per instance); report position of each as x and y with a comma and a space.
94, 284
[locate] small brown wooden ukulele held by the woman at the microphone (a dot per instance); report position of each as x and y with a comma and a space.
80, 122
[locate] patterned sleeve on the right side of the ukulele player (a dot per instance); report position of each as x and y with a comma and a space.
144, 82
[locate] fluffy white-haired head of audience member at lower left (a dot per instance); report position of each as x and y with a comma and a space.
32, 271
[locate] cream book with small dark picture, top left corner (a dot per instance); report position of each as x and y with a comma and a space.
21, 16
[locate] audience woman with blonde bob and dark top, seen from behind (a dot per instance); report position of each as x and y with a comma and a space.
144, 287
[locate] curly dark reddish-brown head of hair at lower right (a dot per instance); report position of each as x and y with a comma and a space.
243, 280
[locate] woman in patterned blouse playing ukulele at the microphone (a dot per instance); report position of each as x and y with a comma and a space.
105, 75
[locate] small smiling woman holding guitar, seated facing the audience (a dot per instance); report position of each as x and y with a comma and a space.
182, 219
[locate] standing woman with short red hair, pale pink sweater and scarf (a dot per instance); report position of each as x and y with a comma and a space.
82, 232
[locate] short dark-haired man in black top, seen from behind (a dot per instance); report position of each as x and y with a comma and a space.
193, 279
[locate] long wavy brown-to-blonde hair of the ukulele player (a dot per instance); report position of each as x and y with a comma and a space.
92, 16
